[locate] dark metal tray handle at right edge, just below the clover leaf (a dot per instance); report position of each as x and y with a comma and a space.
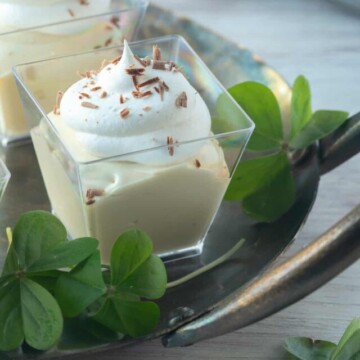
340, 145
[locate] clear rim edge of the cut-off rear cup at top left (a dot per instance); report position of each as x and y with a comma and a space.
135, 4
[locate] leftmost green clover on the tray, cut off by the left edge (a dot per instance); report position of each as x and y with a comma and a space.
28, 311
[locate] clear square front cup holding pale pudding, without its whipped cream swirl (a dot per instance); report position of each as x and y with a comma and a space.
175, 204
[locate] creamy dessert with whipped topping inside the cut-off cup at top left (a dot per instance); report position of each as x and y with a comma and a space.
25, 46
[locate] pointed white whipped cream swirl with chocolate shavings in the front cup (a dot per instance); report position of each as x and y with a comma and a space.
131, 105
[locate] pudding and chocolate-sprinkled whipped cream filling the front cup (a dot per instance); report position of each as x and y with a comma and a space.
137, 138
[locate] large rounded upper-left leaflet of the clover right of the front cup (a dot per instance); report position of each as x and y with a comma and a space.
260, 104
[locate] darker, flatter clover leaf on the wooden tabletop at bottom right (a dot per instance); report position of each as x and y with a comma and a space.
306, 349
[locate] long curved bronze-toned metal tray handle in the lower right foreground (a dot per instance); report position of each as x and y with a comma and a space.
283, 285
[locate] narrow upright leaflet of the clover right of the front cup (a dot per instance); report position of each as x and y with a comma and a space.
300, 105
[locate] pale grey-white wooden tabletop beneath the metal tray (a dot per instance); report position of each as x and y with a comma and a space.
322, 41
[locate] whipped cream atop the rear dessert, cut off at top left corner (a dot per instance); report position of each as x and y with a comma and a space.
21, 14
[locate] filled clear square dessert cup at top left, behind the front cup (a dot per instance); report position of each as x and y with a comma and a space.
113, 21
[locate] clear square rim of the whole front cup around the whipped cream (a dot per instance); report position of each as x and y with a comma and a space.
247, 129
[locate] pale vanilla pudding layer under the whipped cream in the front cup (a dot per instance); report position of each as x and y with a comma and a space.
174, 204
